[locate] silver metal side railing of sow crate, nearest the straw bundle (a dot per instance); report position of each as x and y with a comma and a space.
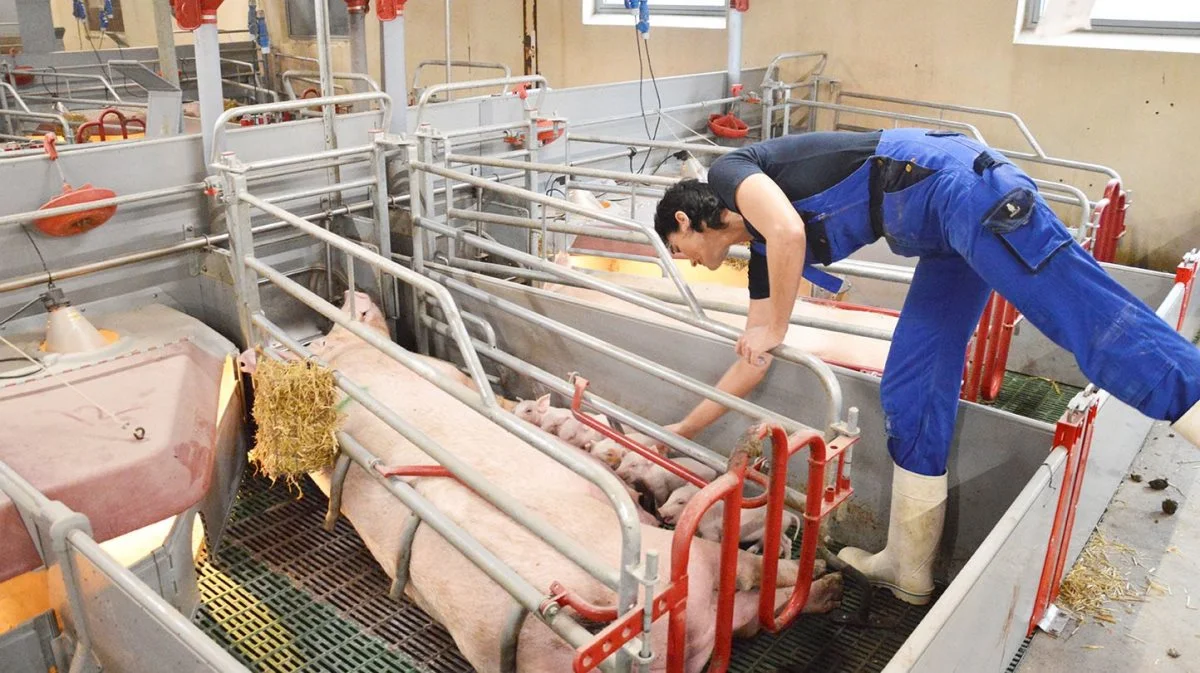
248, 269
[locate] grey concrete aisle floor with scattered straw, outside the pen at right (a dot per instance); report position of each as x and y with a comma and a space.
1168, 551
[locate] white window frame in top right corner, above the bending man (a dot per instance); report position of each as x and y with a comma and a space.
1106, 34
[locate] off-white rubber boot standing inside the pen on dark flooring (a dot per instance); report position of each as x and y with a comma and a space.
915, 528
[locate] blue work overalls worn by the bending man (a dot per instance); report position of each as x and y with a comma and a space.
977, 223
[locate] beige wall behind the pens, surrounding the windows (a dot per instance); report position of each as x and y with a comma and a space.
1129, 110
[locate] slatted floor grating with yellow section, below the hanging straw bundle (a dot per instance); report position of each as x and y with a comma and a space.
286, 596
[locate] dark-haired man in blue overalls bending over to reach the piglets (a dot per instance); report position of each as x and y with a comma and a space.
976, 223
